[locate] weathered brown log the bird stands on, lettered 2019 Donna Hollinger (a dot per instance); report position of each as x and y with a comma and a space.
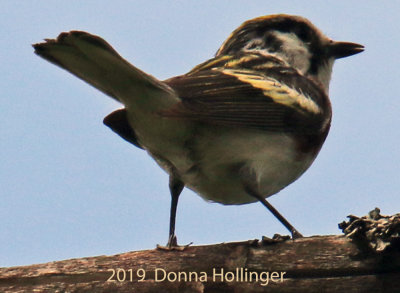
312, 264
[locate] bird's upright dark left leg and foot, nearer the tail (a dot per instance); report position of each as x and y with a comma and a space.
175, 187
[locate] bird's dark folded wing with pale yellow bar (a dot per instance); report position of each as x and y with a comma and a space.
279, 100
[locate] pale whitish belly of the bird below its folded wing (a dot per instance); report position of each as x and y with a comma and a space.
270, 158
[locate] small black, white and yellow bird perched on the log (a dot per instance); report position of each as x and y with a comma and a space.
237, 128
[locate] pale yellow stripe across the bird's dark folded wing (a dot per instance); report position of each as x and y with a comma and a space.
277, 91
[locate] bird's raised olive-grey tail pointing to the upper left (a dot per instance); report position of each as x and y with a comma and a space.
93, 60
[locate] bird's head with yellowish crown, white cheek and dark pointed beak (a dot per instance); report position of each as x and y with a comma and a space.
294, 40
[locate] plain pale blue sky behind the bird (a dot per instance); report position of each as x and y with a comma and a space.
69, 187
